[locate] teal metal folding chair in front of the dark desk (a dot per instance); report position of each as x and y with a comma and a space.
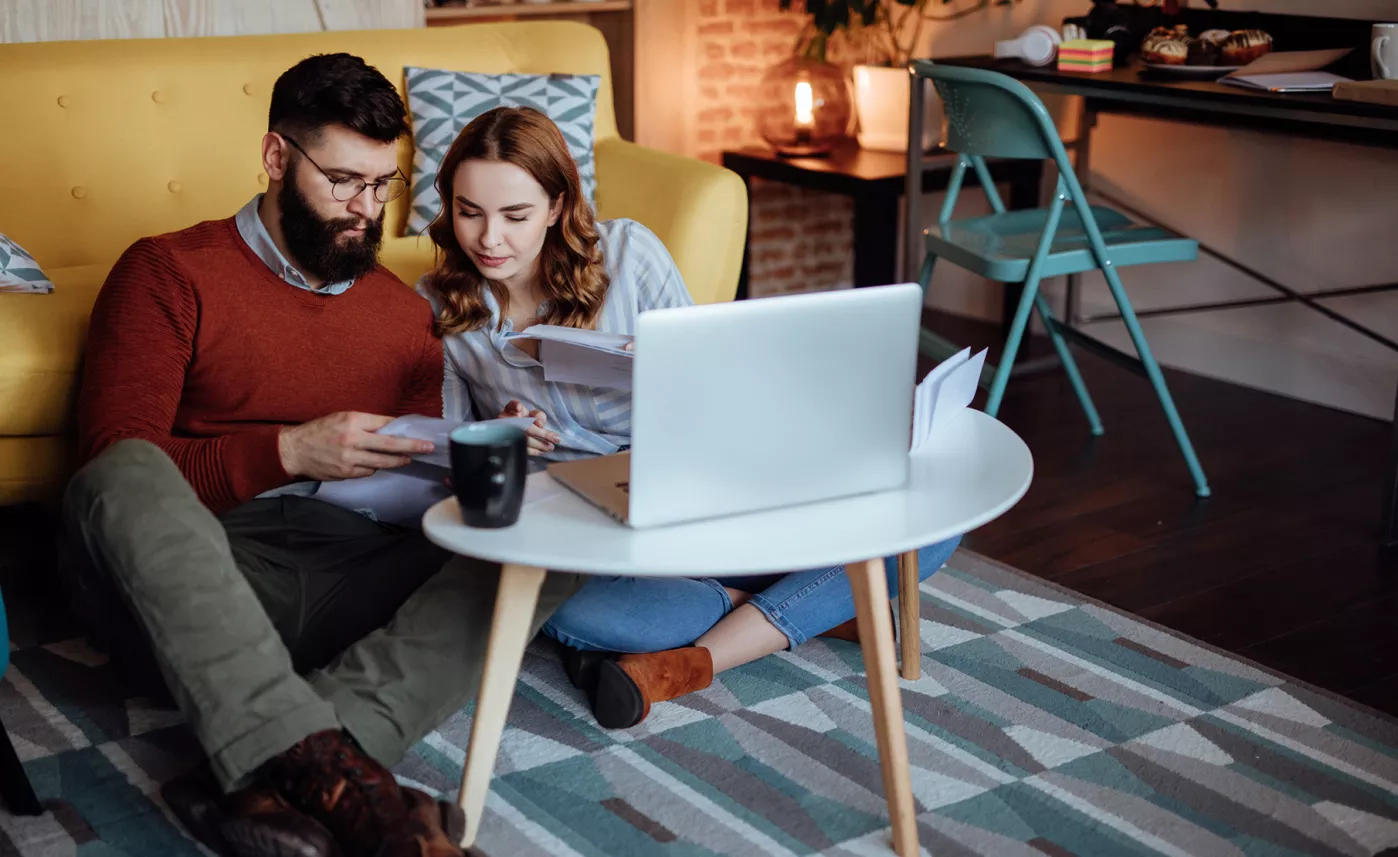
993, 115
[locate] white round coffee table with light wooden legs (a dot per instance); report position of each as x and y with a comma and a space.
975, 472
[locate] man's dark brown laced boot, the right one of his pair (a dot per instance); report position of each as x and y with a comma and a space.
329, 778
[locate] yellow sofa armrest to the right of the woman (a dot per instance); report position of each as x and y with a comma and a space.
700, 210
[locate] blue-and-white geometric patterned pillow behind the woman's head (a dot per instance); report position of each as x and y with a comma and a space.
444, 103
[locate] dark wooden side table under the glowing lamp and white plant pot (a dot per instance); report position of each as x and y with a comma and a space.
876, 182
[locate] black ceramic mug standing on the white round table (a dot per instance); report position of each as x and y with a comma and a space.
489, 469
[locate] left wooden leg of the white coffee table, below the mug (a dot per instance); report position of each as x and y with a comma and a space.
510, 634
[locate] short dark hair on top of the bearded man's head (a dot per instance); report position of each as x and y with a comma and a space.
336, 89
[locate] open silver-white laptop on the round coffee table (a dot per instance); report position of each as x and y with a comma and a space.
763, 403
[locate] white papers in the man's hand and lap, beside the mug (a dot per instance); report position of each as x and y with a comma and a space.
403, 494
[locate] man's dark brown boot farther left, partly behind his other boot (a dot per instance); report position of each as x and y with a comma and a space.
251, 823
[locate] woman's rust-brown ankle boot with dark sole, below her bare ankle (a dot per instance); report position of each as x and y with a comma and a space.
630, 684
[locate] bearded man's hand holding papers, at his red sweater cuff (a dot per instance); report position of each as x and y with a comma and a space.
345, 447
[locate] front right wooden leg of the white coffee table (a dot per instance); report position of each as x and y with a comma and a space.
876, 626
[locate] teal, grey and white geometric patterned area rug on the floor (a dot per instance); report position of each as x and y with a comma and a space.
1045, 725
